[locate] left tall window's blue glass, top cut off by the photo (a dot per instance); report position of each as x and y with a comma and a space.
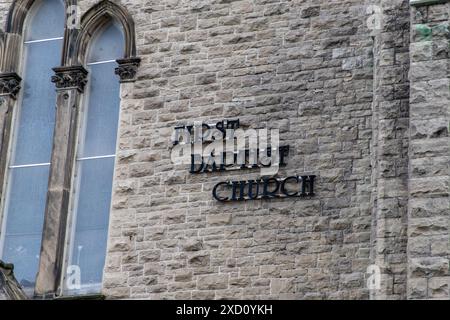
31, 148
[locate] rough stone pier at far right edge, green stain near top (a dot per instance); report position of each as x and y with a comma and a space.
429, 175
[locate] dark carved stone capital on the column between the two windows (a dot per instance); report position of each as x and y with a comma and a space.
67, 78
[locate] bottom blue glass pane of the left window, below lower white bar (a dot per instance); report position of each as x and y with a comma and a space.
25, 220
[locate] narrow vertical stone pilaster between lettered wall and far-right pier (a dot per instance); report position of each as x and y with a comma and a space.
390, 147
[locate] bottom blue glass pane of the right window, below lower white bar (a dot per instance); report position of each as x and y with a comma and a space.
92, 218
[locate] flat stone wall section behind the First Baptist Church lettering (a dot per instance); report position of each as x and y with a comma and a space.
301, 66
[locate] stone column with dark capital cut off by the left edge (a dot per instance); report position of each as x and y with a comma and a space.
9, 89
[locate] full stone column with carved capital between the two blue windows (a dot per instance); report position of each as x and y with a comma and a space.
70, 83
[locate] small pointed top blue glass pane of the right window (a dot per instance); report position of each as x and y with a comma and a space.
107, 45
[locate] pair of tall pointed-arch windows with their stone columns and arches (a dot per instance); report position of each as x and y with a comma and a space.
57, 164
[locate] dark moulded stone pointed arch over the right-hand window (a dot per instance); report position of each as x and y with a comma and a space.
97, 17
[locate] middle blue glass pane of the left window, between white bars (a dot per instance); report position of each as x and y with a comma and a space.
36, 117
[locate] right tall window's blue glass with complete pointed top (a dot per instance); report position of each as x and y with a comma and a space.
96, 158
